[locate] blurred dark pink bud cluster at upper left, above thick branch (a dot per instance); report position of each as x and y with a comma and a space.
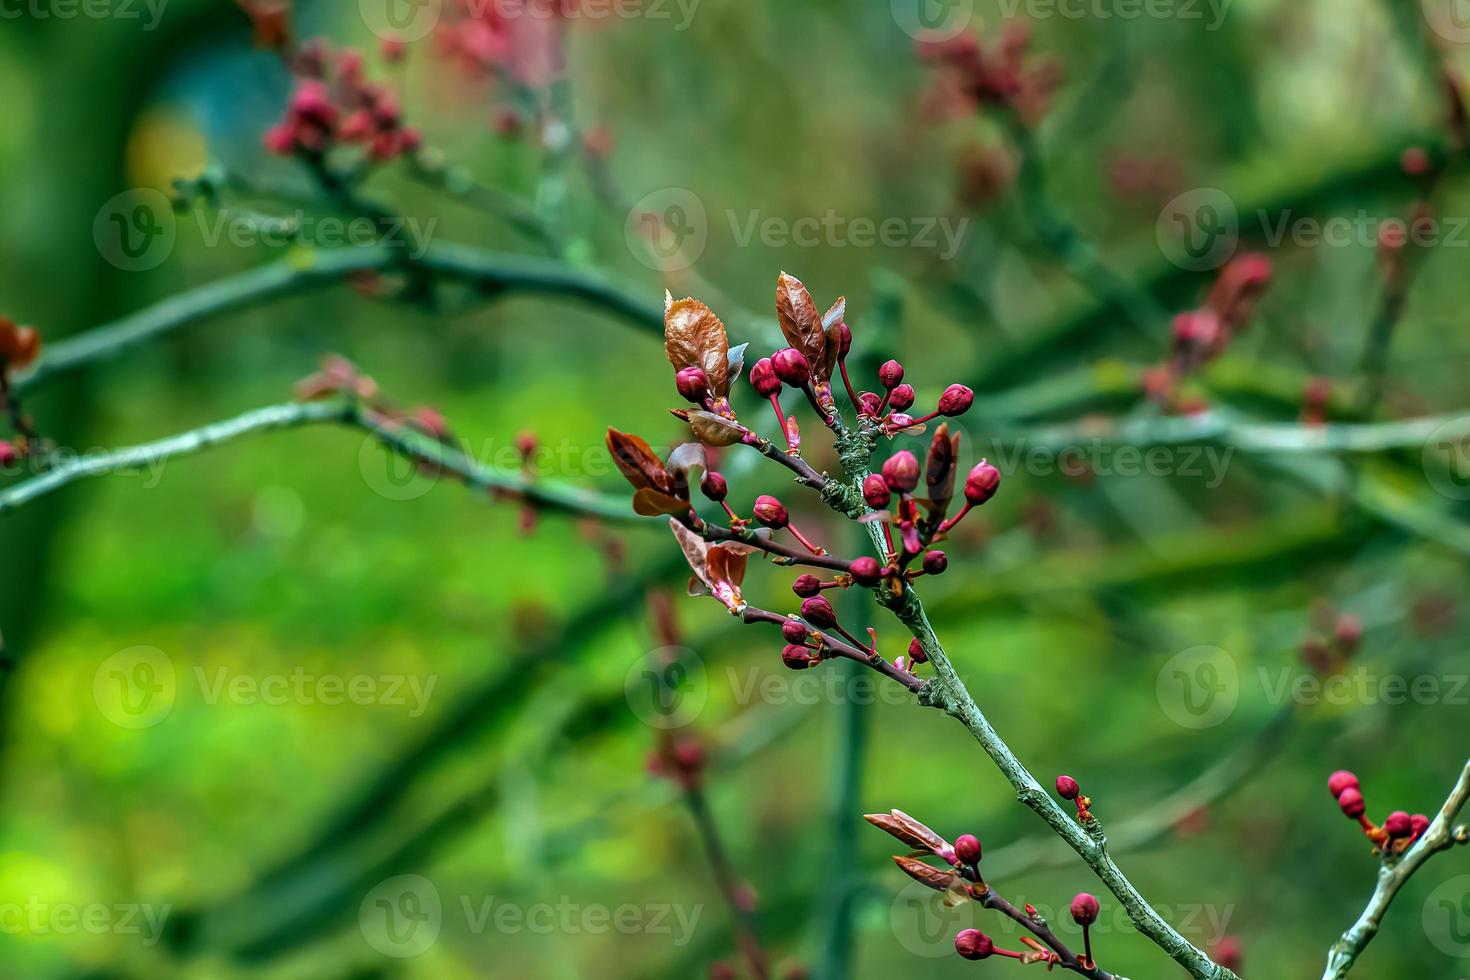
334, 105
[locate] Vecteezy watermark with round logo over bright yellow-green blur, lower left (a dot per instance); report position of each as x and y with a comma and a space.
137, 688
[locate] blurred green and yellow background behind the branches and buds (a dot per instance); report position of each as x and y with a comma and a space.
261, 835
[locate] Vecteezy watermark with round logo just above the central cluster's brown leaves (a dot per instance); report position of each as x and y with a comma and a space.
668, 230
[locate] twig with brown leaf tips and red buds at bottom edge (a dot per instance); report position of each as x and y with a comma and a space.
962, 881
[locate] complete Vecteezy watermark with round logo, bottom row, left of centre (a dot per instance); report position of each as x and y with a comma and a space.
404, 918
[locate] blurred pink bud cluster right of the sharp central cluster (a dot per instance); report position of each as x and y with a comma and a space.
1205, 334
